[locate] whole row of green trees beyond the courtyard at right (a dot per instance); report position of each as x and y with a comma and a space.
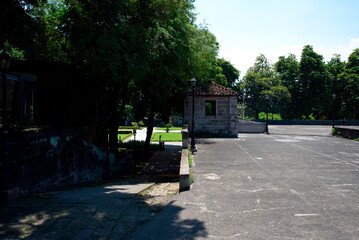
305, 89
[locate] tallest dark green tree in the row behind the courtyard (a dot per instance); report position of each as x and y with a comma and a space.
313, 84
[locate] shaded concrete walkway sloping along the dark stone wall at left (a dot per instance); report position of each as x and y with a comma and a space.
93, 212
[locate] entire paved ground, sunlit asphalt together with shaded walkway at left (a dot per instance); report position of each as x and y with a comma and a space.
296, 183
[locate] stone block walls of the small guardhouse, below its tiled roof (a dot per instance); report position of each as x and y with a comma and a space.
223, 123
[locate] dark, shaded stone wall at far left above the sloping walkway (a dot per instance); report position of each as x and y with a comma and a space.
40, 160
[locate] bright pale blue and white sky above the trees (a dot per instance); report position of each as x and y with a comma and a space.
247, 28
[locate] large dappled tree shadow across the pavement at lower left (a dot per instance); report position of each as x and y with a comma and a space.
110, 211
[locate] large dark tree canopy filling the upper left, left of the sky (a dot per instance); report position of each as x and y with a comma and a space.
141, 52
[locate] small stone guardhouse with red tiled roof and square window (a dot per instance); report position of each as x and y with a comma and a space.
215, 111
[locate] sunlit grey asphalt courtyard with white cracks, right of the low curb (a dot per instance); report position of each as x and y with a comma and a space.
296, 183
